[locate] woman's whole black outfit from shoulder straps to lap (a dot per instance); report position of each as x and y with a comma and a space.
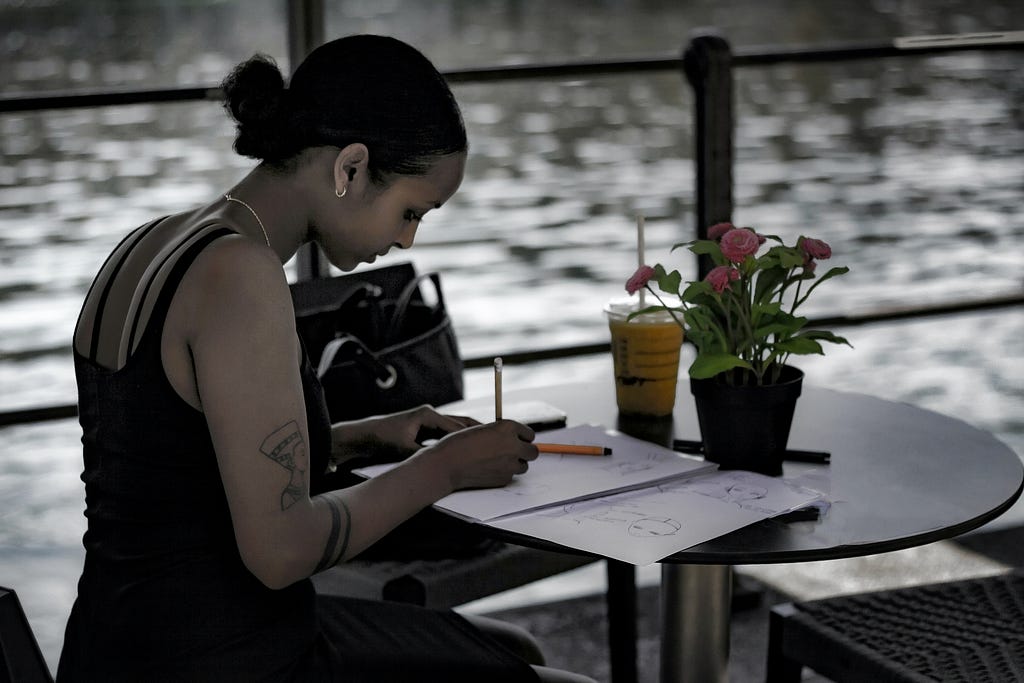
164, 595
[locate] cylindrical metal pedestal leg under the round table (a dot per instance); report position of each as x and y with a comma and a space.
697, 603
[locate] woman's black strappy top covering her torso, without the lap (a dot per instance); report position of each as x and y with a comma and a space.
164, 594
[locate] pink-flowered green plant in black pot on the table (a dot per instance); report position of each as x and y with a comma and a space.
743, 321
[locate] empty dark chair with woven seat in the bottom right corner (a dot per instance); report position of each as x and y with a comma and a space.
971, 631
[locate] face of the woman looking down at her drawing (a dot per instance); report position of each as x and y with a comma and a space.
368, 222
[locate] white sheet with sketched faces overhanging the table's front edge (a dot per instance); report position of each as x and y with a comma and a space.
644, 527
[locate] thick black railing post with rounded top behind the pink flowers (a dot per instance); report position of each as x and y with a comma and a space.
708, 66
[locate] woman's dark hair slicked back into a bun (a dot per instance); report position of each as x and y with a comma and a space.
370, 90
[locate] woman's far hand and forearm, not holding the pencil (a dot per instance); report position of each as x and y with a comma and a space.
395, 437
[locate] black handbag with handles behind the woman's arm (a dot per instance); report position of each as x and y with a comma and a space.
378, 345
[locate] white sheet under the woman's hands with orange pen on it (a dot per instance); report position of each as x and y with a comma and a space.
557, 479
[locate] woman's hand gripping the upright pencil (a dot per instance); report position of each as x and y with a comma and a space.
485, 456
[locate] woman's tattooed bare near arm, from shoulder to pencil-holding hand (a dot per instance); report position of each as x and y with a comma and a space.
241, 335
